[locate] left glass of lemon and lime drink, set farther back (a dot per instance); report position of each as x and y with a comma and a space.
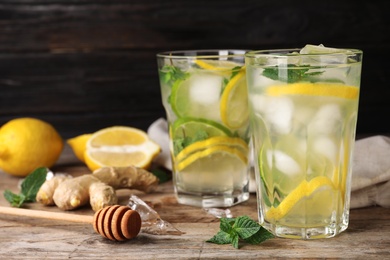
205, 97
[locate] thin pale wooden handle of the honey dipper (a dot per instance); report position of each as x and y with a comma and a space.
46, 215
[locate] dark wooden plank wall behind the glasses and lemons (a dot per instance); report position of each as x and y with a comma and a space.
88, 64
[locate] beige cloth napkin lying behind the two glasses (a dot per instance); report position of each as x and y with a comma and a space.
370, 173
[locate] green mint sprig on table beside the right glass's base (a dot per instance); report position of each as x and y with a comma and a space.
240, 230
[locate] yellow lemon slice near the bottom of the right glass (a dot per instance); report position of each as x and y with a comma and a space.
316, 197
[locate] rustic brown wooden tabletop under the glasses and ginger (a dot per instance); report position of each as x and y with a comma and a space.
368, 235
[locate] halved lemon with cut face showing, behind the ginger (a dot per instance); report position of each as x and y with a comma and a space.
120, 146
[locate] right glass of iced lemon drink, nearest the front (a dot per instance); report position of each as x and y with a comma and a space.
303, 115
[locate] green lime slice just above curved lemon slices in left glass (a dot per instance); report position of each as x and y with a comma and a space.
189, 127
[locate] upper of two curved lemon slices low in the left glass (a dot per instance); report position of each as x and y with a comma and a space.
230, 142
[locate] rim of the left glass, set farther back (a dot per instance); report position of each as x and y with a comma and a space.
202, 53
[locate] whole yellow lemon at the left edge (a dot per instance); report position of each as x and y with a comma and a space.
26, 144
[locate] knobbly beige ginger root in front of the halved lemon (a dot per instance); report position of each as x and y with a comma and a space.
97, 188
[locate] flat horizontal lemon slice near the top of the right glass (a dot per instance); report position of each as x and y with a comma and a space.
315, 89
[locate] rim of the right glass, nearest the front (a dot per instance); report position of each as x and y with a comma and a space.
294, 52
